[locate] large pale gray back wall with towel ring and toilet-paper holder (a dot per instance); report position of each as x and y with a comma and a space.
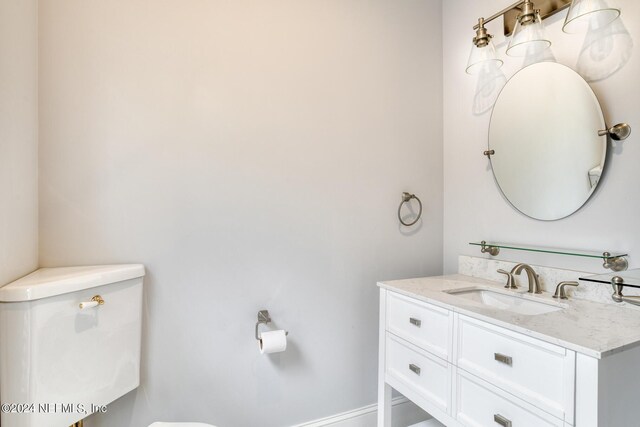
252, 155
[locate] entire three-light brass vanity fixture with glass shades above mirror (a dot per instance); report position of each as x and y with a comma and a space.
523, 20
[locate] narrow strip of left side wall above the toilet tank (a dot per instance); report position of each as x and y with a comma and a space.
18, 138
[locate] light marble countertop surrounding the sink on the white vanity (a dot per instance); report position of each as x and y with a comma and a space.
590, 328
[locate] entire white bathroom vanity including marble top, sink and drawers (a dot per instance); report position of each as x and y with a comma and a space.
472, 353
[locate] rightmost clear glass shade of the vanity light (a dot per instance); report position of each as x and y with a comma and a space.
587, 15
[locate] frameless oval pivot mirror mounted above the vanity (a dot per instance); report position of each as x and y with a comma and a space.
544, 127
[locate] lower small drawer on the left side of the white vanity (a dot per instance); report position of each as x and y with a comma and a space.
422, 373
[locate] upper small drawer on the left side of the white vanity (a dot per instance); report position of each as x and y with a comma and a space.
427, 326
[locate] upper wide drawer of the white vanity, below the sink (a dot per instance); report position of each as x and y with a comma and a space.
540, 373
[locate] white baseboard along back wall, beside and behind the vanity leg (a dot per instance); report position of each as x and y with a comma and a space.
405, 413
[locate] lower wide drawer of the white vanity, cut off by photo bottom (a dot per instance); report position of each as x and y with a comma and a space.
478, 403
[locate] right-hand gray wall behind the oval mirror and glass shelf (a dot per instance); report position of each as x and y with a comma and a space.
474, 207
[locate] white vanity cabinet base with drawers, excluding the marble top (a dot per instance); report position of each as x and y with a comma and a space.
469, 372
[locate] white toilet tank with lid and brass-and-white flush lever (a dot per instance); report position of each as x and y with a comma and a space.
58, 362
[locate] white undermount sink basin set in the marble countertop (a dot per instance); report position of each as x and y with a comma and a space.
506, 300
